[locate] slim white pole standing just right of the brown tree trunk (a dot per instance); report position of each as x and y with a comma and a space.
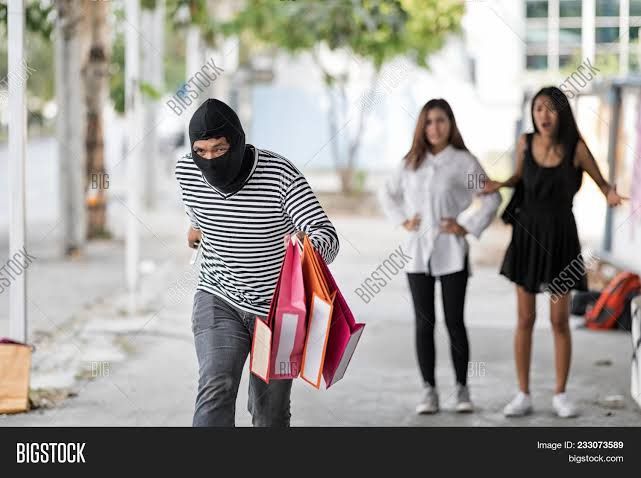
134, 127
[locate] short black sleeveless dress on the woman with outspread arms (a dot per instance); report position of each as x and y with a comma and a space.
545, 253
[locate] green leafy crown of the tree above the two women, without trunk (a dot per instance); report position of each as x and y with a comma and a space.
377, 30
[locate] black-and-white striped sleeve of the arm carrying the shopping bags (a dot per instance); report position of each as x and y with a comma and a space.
302, 207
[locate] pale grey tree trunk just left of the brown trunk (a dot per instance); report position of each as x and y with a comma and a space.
72, 41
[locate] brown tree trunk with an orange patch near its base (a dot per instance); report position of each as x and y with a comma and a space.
95, 76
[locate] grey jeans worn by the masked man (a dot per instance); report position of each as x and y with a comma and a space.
223, 336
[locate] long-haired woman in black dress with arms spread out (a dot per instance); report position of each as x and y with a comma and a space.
545, 254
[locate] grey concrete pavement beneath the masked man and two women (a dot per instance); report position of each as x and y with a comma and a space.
153, 382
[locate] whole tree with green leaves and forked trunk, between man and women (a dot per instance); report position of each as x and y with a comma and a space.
373, 30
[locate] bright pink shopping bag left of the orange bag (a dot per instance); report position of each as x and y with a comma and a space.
279, 340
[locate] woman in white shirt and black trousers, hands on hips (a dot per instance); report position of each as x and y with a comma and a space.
430, 195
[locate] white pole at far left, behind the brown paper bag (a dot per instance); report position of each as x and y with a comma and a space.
17, 145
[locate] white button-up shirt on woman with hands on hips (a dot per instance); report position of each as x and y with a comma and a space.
444, 185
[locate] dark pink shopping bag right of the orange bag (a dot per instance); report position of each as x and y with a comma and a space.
344, 333
